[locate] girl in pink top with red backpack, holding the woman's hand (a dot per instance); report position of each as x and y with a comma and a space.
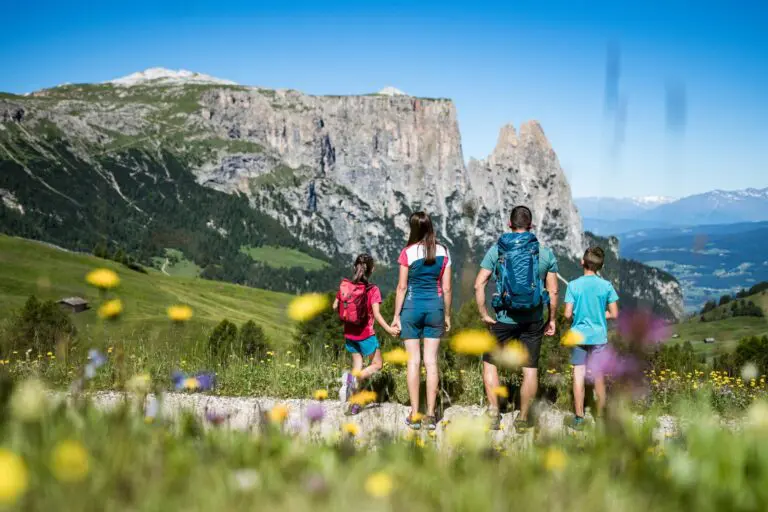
358, 304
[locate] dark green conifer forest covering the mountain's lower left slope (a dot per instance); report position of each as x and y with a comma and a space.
162, 207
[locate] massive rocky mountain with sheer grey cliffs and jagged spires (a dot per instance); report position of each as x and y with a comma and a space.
173, 159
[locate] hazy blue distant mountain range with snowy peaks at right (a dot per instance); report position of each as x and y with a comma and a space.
612, 216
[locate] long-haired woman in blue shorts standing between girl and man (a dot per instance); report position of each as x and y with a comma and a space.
423, 310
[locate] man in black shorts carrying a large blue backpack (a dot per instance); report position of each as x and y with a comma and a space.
520, 317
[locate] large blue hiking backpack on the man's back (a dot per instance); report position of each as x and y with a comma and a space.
518, 285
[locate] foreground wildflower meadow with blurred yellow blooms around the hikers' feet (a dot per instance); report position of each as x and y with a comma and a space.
60, 444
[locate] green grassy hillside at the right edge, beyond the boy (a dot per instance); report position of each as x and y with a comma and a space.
727, 332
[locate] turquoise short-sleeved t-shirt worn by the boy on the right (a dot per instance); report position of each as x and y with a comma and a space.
590, 296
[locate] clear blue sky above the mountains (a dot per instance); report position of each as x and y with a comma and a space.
501, 62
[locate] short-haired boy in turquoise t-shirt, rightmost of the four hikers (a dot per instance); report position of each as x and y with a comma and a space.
590, 302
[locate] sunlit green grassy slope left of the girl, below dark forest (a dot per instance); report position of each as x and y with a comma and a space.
28, 268
